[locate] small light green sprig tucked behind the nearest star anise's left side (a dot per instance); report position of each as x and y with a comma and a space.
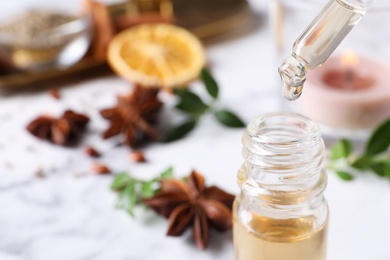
131, 190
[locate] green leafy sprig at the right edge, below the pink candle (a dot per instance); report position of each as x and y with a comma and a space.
374, 158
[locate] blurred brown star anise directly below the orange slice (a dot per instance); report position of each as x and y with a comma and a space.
134, 116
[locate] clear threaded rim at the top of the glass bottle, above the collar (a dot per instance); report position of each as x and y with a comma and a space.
283, 152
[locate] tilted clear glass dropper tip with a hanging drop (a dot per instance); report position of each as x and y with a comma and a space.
318, 42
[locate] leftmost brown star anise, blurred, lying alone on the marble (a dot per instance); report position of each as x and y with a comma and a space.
62, 131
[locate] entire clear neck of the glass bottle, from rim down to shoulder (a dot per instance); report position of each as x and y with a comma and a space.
283, 167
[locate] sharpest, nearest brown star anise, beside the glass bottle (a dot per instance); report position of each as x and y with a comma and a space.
191, 203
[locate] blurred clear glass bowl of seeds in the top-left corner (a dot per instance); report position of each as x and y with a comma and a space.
43, 34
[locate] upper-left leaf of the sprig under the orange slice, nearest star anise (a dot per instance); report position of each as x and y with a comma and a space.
190, 102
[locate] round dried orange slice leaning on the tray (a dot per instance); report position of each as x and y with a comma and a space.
156, 55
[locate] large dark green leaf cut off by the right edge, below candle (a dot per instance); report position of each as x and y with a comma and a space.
379, 140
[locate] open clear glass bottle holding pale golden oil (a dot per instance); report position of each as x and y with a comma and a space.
281, 212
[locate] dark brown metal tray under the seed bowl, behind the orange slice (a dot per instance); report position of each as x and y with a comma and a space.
204, 18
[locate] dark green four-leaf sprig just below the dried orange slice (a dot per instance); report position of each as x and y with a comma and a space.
194, 107
